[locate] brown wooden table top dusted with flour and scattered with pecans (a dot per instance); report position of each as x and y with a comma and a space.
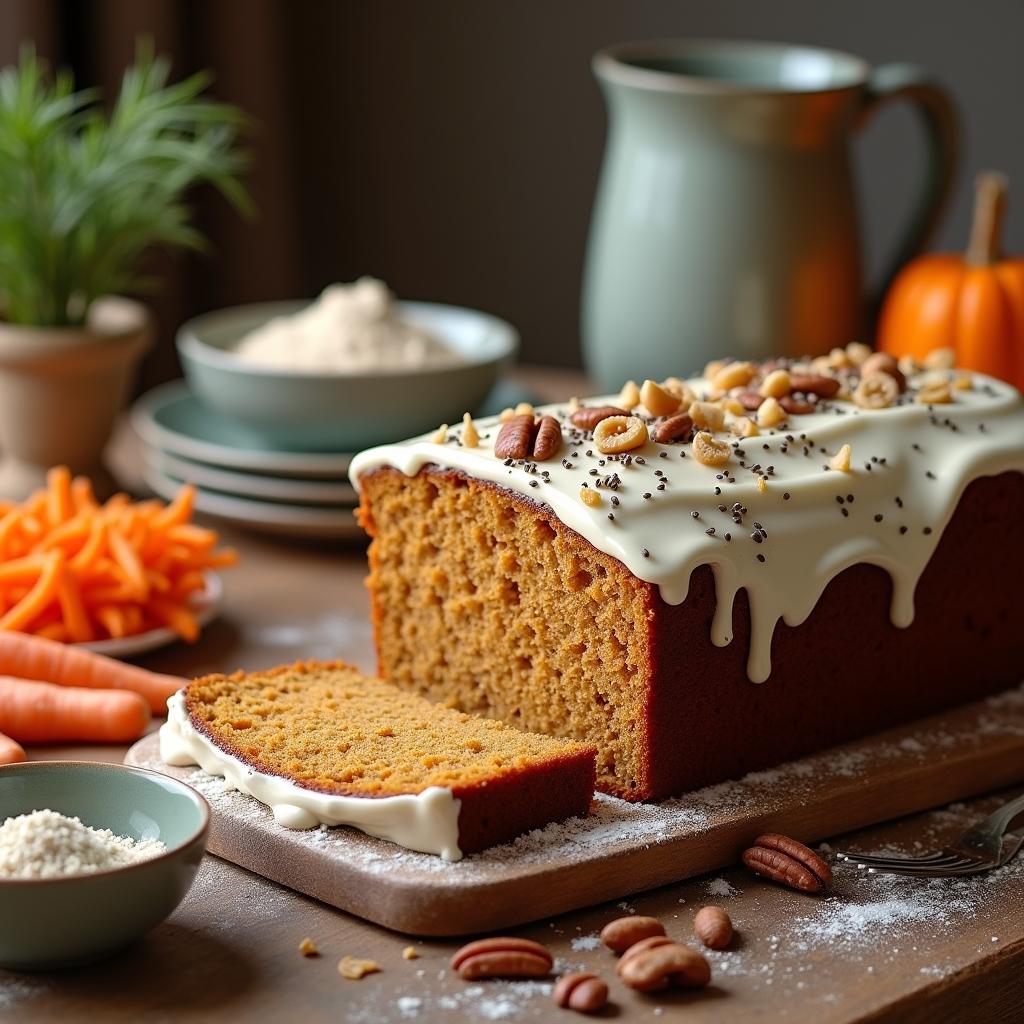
876, 950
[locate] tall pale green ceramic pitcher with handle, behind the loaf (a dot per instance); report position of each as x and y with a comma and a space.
727, 218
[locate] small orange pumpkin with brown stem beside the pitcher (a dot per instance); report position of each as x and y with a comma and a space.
972, 304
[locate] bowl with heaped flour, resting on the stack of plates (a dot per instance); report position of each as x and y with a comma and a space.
352, 369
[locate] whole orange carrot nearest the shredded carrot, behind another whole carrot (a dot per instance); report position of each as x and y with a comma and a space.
36, 658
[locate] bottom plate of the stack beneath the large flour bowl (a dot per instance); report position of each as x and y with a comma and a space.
271, 518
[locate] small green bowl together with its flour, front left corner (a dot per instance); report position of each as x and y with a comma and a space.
92, 858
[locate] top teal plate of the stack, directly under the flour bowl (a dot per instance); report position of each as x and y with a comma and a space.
173, 419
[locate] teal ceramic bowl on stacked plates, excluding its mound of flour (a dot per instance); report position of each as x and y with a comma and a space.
320, 412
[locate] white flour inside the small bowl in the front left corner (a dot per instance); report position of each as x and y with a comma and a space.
48, 845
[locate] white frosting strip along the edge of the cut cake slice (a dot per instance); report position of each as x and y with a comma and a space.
428, 822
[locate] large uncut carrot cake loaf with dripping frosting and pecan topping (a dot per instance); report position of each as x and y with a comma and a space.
708, 577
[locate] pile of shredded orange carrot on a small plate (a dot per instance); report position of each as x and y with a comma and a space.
72, 570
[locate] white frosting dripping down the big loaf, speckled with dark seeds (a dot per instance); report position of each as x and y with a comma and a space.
663, 515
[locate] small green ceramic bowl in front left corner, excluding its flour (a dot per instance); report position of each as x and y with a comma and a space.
56, 923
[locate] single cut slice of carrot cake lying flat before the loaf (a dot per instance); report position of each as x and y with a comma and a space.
324, 745
